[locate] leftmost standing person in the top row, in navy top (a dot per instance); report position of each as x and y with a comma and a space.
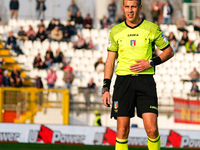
14, 7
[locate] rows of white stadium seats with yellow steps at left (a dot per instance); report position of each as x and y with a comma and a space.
169, 76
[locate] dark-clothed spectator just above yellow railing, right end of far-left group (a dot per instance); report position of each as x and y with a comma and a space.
16, 79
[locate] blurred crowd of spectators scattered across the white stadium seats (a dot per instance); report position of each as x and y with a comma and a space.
162, 13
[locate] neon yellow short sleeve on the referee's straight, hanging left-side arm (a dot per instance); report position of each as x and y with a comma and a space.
112, 44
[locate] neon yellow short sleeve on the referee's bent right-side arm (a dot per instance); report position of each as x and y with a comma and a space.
161, 40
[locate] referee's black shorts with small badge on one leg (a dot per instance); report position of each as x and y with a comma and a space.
132, 92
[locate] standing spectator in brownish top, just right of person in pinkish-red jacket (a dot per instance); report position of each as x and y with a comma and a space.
68, 77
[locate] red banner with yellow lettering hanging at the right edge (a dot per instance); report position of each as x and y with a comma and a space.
186, 111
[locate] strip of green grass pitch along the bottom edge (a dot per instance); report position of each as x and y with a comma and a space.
28, 146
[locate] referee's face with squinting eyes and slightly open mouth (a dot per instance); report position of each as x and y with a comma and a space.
131, 10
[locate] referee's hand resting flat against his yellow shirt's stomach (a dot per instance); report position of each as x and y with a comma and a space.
140, 66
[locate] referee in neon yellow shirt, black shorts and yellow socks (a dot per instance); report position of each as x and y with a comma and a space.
134, 41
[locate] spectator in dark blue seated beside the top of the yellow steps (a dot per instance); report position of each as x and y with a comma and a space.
11, 43
